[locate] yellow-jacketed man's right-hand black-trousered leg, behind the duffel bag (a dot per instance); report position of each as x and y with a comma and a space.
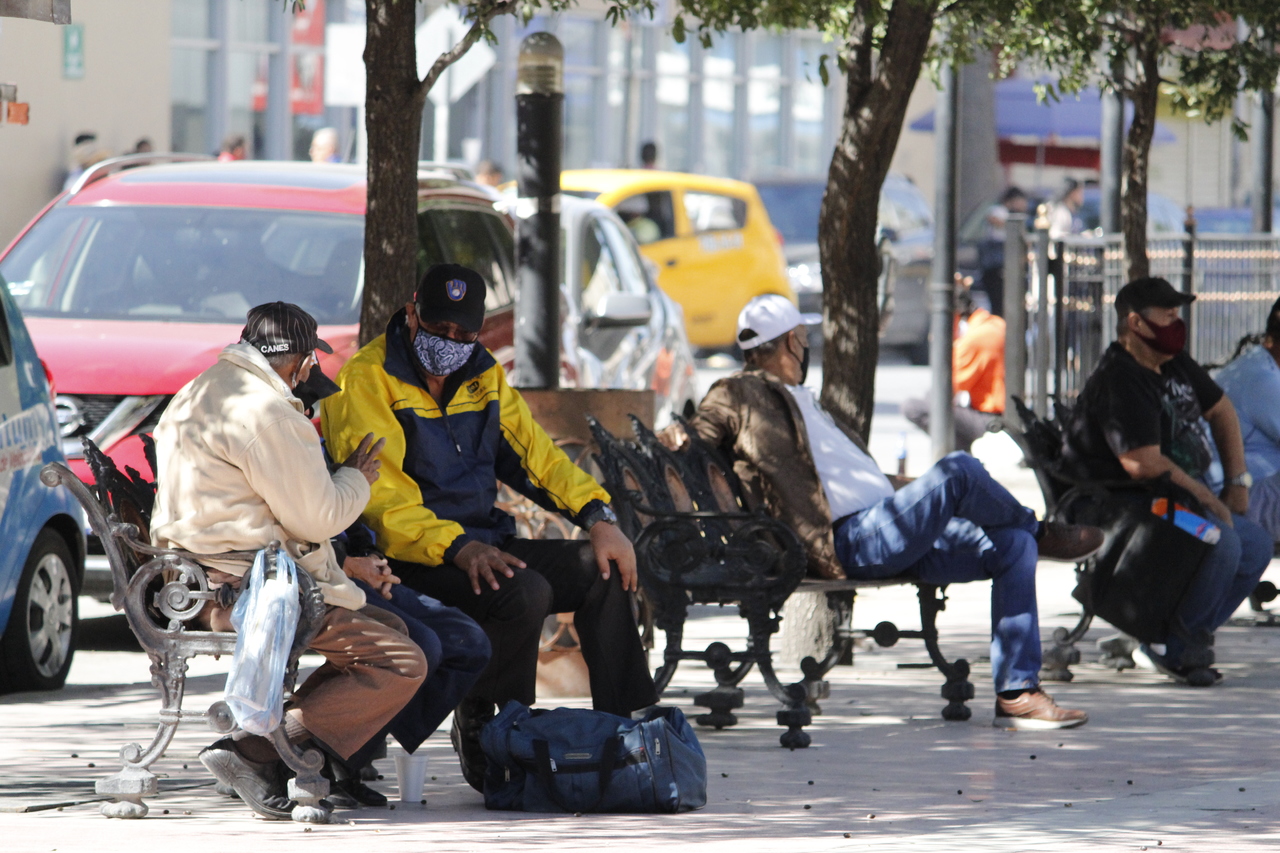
616, 662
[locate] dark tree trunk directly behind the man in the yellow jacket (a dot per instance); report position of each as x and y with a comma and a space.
394, 121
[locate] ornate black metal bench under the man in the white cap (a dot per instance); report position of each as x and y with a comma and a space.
698, 544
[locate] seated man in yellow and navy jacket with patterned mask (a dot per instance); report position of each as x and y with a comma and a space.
455, 428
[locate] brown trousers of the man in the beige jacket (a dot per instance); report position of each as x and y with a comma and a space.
372, 670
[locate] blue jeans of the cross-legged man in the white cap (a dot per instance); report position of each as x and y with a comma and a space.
956, 524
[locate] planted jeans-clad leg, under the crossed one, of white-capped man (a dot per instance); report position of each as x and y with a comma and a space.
1007, 556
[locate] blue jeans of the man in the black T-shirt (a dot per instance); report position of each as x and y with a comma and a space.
1228, 576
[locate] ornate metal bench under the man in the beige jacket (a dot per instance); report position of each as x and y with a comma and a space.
162, 592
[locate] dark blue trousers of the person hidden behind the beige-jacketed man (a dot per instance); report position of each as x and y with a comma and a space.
456, 650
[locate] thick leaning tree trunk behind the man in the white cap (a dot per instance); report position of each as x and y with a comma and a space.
876, 106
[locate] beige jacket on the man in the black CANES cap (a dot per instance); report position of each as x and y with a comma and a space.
241, 466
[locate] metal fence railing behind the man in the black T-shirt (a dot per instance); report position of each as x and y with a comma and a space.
1072, 309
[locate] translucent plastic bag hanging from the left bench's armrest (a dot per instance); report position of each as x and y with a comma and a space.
266, 618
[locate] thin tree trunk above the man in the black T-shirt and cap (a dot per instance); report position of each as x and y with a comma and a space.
1137, 154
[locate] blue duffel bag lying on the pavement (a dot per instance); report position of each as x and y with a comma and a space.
573, 760
